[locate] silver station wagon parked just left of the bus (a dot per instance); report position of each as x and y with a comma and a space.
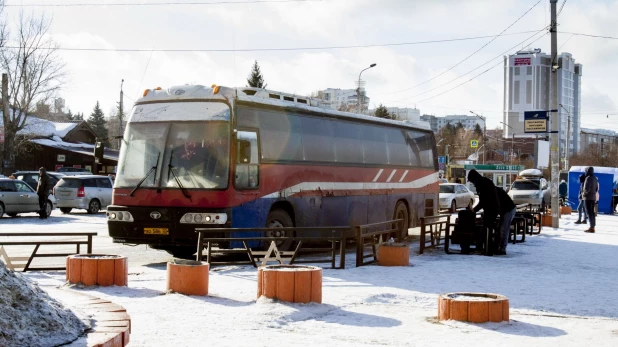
89, 192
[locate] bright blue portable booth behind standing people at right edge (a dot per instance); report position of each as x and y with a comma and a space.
607, 176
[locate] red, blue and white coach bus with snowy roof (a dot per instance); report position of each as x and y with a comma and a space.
218, 157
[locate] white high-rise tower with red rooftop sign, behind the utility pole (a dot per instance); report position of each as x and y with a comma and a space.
527, 82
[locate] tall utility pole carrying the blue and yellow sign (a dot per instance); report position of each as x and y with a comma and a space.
555, 126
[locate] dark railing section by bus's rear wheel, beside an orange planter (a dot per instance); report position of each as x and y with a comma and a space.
364, 232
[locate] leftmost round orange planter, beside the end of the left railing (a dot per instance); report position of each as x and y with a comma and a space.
97, 269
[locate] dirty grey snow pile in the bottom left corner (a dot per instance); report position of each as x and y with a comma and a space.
29, 317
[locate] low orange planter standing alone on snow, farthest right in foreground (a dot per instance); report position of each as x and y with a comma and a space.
473, 307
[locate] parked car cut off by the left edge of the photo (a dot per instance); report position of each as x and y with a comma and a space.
16, 196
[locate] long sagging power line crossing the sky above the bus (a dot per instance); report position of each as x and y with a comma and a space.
273, 48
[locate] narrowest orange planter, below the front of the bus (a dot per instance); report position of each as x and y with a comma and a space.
187, 277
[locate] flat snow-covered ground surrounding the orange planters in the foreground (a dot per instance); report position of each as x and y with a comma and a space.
561, 285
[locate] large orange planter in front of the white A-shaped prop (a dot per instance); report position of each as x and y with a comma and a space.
291, 283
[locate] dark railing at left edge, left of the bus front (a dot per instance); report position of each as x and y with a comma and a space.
26, 267
